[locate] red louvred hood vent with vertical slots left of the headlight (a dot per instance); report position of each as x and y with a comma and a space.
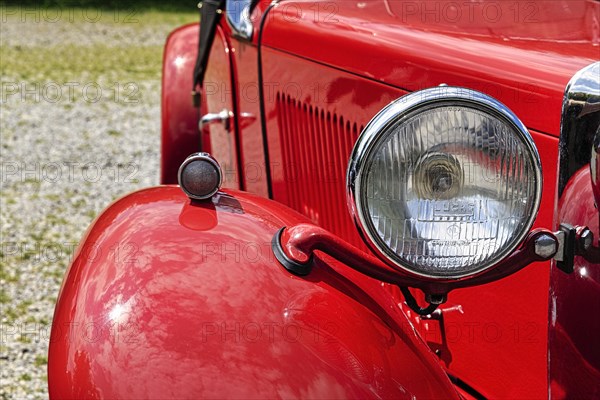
316, 145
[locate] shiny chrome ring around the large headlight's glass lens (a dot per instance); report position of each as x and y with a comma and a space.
390, 116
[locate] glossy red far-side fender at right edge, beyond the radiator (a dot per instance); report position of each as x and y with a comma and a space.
574, 354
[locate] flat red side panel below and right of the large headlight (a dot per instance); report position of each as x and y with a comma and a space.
494, 337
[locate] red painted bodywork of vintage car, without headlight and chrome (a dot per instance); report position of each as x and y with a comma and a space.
169, 299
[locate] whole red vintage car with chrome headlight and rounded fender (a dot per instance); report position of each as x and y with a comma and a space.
377, 199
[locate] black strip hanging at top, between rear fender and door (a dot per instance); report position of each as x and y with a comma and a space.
210, 13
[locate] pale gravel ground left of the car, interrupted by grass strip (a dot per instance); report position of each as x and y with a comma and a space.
63, 161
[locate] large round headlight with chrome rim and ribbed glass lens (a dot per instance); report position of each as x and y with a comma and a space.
444, 183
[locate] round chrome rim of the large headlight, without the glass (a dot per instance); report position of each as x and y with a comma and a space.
383, 124
